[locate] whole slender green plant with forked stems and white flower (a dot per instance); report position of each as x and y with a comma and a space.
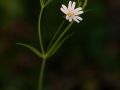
72, 15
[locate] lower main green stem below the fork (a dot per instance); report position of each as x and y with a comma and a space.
40, 83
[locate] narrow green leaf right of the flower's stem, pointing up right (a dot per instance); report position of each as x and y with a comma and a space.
59, 45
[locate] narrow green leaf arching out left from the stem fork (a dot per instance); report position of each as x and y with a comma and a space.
38, 53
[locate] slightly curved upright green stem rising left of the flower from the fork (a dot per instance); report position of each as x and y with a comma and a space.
39, 31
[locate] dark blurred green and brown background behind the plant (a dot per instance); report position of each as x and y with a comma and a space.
89, 60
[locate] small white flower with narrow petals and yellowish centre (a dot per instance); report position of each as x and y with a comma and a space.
72, 13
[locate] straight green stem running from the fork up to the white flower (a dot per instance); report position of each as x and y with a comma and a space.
58, 39
